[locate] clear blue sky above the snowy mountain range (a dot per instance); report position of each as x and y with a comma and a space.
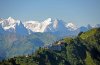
80, 12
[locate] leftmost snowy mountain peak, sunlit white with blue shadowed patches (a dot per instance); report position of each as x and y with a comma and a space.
10, 24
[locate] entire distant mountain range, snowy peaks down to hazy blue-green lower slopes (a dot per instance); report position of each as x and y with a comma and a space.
22, 38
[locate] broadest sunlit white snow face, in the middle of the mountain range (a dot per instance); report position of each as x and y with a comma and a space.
36, 26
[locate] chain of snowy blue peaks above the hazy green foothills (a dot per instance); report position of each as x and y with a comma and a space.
49, 25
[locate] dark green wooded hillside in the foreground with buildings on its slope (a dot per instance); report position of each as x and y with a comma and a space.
81, 50
